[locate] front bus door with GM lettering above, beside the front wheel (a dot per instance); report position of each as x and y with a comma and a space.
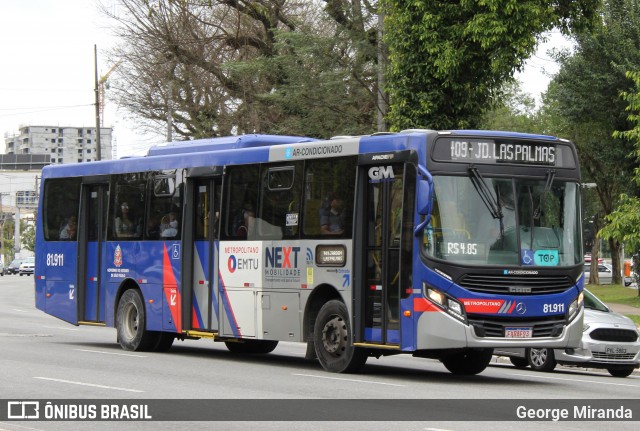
380, 289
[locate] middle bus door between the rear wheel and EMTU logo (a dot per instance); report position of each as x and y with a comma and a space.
204, 209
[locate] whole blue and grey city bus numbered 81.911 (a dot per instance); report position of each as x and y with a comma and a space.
440, 244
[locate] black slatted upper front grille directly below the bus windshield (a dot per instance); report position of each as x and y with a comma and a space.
518, 285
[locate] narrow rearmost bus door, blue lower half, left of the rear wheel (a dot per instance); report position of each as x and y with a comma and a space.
91, 235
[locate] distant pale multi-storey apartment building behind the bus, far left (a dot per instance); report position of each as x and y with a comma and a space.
64, 144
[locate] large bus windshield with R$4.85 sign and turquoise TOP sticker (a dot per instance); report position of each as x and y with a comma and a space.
478, 220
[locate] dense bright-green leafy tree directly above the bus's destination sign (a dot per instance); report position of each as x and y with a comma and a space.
448, 60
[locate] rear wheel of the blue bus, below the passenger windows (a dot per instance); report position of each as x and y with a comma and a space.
131, 324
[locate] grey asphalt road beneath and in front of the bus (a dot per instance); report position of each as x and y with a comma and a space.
44, 358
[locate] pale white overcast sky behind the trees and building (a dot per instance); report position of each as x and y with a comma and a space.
47, 69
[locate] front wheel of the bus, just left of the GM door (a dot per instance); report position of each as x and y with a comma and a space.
333, 340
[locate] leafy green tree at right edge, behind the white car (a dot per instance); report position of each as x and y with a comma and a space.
585, 93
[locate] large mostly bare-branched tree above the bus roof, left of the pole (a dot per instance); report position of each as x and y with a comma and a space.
228, 66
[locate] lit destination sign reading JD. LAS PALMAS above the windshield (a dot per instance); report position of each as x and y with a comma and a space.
497, 151
